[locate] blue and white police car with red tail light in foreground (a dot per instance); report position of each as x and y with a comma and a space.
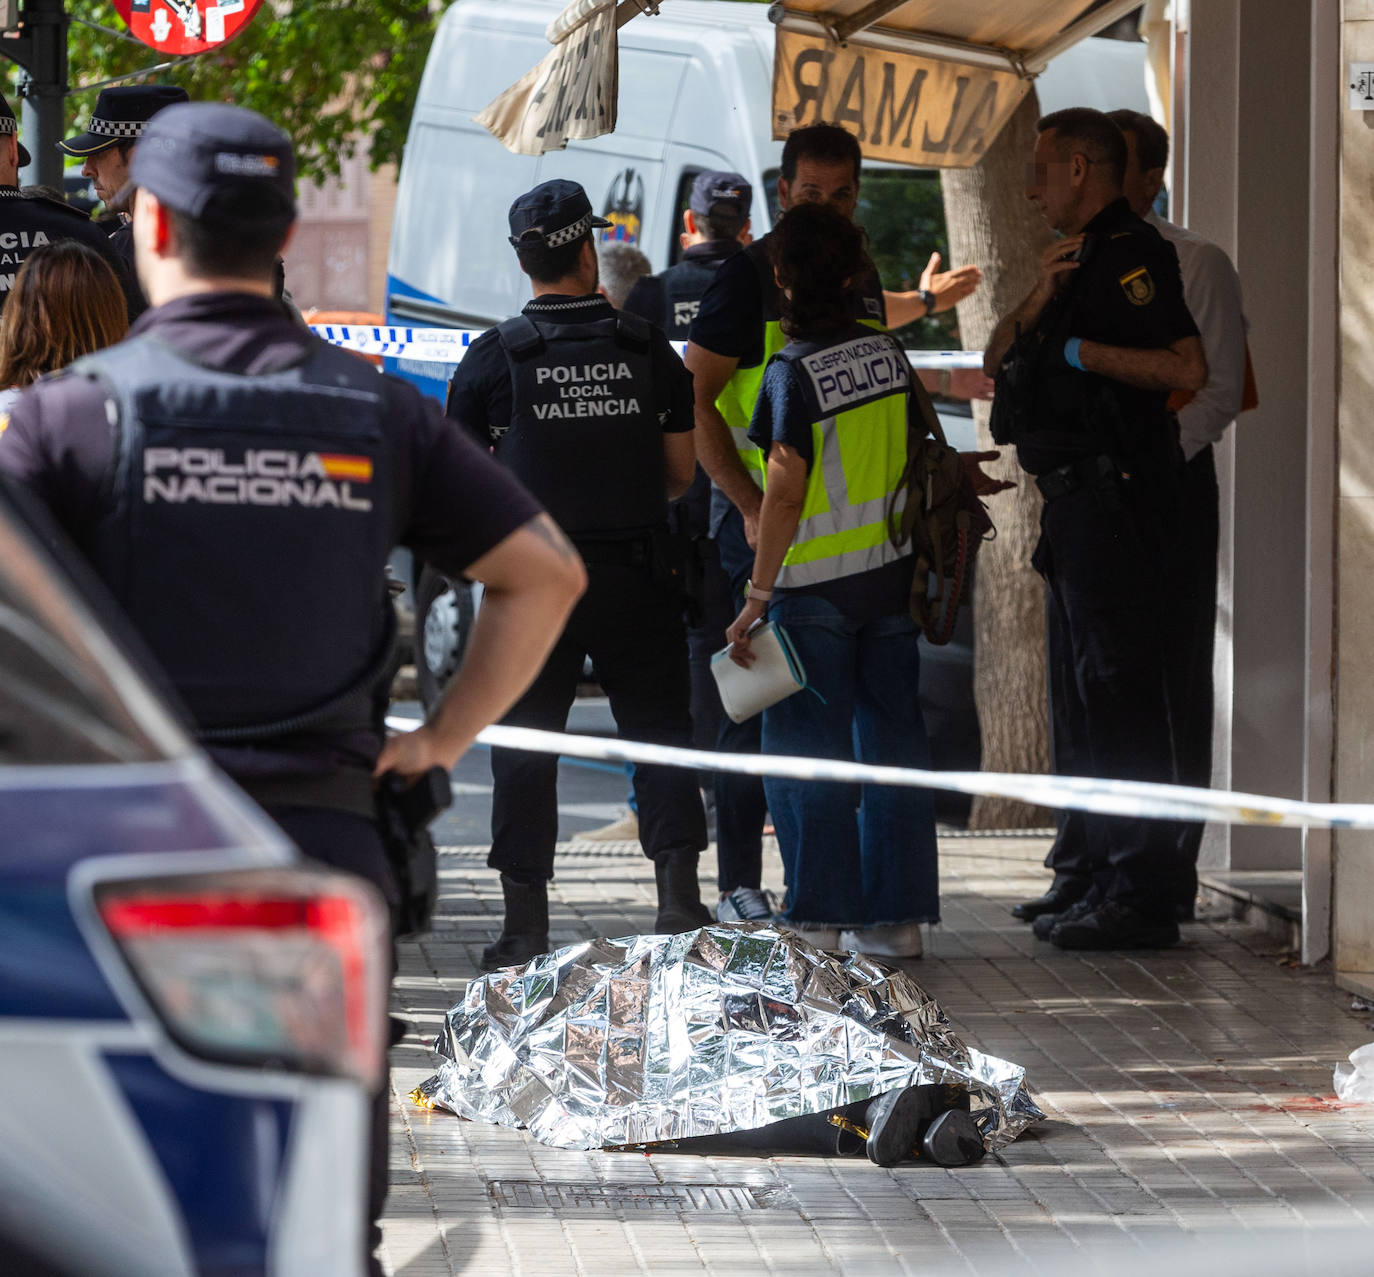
190, 1019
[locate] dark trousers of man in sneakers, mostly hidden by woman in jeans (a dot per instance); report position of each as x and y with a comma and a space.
741, 808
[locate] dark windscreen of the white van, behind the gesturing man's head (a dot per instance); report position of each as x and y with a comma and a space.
903, 212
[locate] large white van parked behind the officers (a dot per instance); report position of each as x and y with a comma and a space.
695, 94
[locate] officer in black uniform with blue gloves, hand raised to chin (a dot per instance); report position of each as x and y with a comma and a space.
1083, 394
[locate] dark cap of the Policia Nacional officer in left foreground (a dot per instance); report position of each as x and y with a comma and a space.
194, 155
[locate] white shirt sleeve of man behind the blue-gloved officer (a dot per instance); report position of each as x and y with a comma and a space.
1213, 292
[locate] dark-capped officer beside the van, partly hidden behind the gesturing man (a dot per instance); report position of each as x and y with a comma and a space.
715, 227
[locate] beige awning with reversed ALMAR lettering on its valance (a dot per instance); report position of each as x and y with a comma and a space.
920, 82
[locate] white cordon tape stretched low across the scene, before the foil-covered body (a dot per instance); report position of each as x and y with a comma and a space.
1078, 794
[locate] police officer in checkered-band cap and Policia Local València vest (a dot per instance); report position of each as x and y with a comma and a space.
593, 412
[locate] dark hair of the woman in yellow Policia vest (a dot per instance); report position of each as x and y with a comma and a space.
817, 254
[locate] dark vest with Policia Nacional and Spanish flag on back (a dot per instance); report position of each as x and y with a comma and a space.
251, 529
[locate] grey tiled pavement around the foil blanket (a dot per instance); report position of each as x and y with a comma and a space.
1192, 1121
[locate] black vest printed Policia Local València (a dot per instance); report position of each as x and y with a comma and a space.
585, 435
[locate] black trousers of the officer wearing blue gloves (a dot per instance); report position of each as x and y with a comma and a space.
1105, 553
